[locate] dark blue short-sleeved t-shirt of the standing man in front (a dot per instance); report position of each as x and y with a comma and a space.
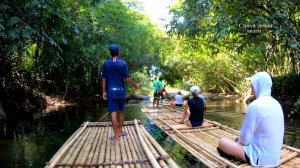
114, 74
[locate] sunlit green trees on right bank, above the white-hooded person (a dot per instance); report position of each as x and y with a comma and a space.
235, 39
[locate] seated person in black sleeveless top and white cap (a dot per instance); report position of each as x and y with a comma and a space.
193, 110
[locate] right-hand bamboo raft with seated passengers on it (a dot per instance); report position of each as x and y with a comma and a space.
202, 141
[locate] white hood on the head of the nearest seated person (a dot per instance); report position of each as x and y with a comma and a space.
262, 84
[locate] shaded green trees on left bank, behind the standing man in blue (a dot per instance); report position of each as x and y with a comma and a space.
66, 42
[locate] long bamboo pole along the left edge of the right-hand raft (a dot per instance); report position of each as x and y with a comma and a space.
206, 148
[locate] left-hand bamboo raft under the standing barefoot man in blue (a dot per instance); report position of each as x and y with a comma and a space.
90, 146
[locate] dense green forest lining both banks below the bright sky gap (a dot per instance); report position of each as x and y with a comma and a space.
57, 47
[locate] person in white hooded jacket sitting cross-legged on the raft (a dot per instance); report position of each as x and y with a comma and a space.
261, 137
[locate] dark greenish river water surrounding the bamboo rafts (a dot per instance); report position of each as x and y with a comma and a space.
33, 142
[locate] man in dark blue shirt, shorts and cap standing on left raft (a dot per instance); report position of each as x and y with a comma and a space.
114, 71
